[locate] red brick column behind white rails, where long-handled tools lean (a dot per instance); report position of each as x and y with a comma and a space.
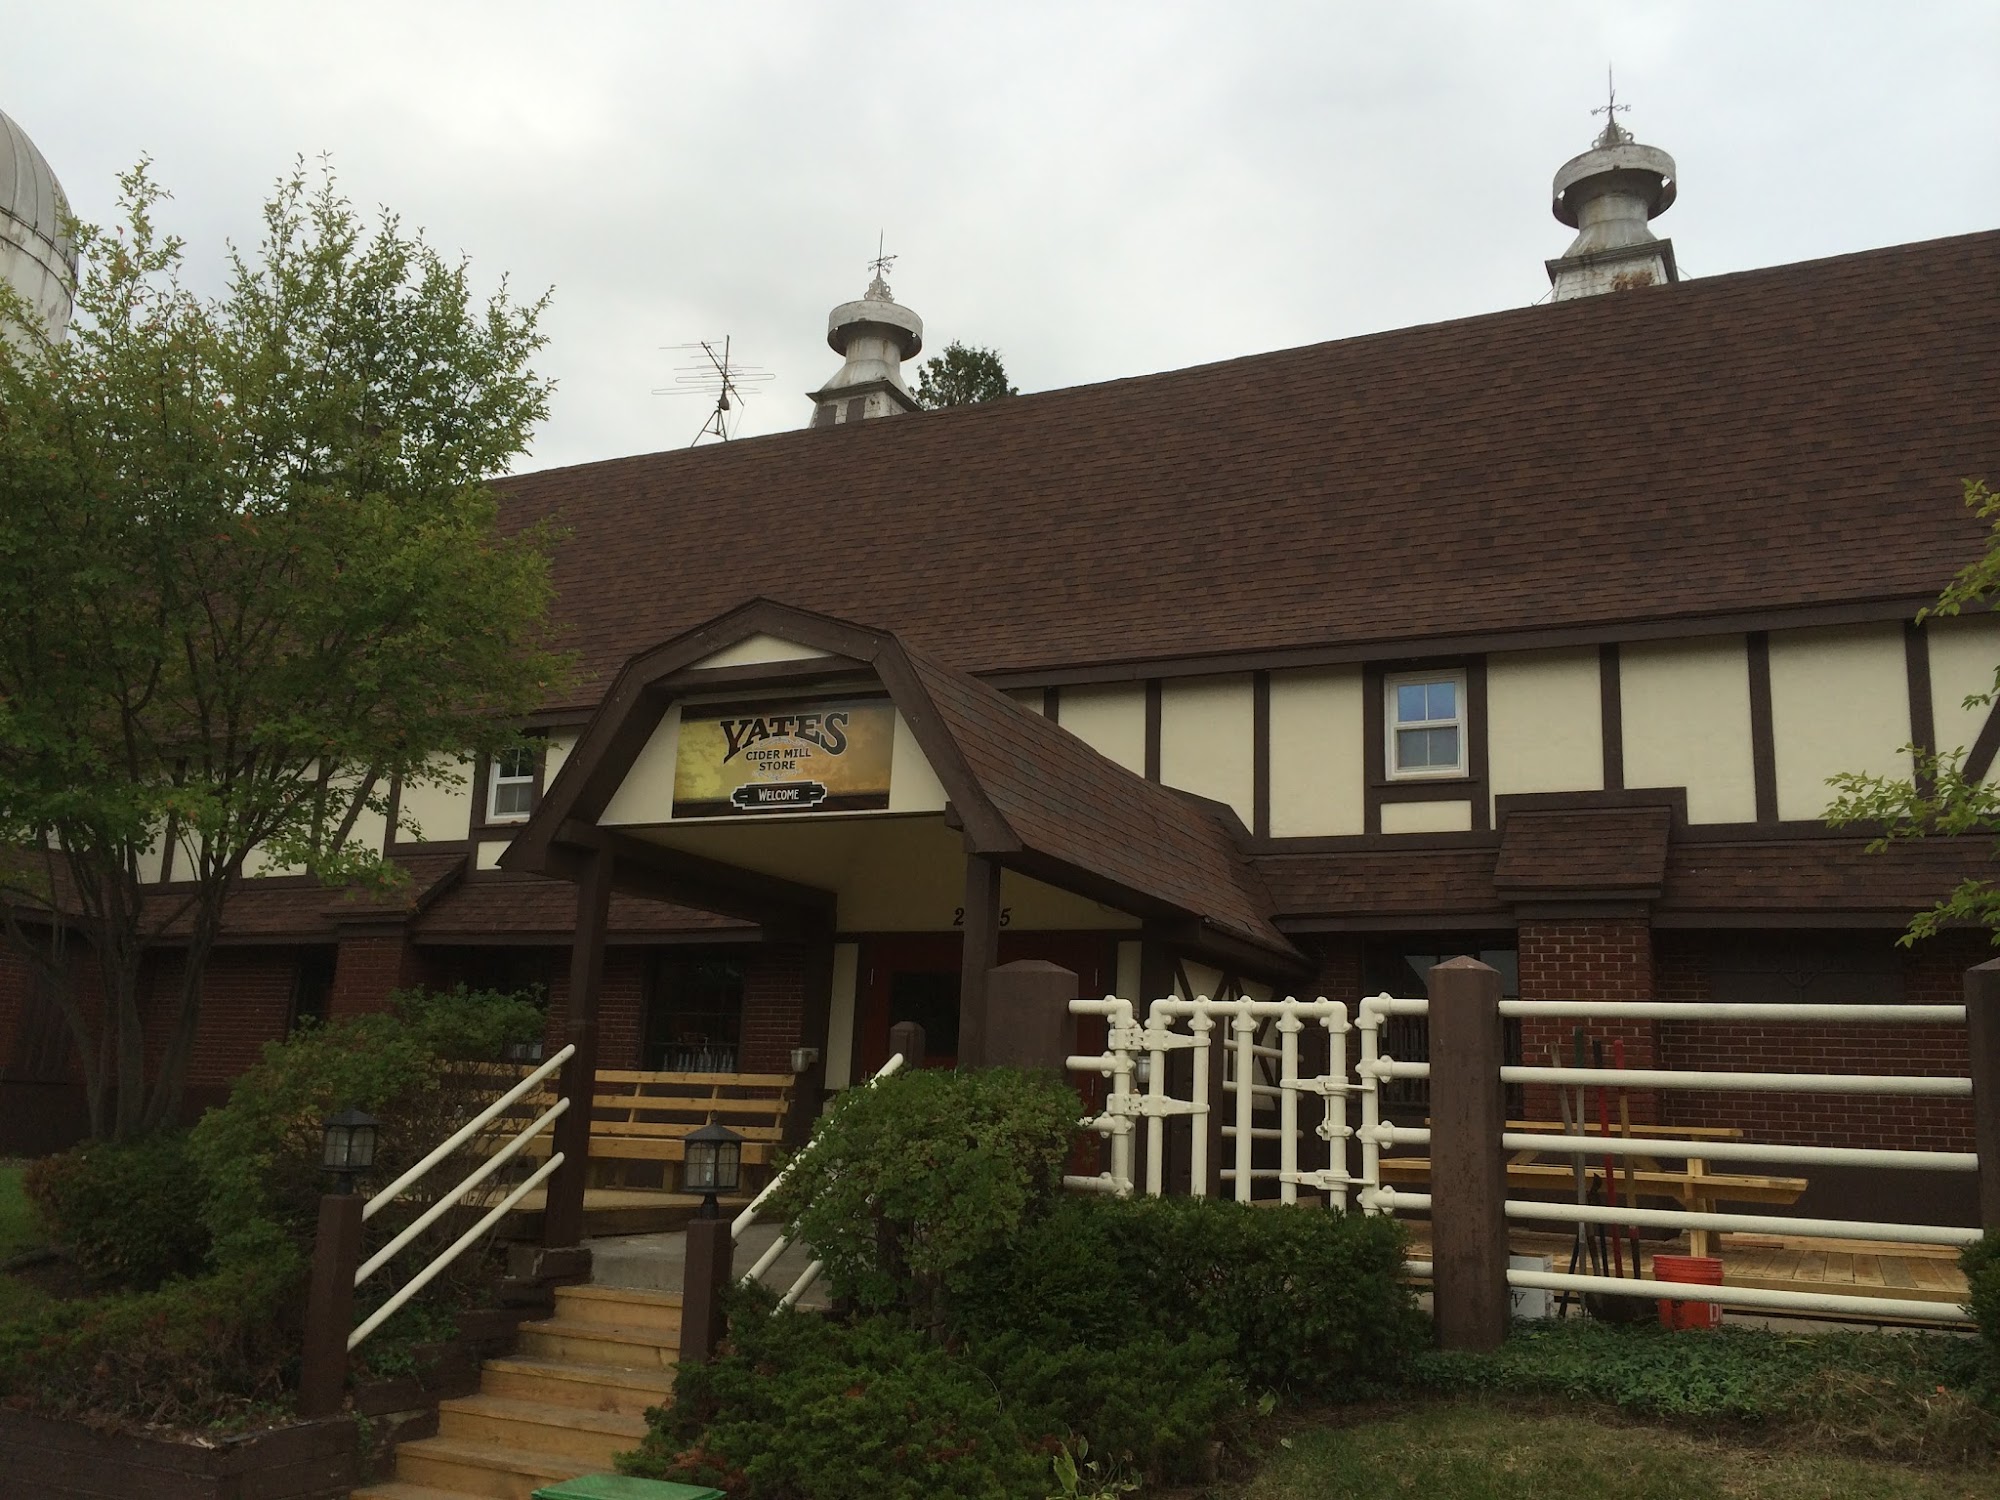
1587, 959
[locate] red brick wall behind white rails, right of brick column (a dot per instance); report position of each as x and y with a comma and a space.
1933, 973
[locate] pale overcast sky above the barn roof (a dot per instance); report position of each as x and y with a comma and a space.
1093, 189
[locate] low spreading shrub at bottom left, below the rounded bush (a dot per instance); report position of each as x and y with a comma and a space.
195, 1353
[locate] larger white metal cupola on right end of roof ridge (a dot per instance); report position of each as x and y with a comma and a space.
1609, 195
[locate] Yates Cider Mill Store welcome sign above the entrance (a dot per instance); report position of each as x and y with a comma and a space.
805, 757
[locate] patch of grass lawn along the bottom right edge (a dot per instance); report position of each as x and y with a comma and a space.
1477, 1451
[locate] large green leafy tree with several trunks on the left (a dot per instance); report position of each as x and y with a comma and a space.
249, 575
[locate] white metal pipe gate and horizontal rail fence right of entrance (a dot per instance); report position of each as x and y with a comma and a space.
1259, 1091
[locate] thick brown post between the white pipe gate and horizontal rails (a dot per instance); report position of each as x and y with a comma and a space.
1467, 1161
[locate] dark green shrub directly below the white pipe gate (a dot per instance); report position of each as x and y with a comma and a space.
1305, 1303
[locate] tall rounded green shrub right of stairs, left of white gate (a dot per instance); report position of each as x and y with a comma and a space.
917, 1181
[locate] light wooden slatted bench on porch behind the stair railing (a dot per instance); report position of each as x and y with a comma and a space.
647, 1117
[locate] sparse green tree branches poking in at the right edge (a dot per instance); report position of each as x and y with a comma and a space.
1939, 801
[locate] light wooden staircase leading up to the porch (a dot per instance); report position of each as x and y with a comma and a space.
563, 1405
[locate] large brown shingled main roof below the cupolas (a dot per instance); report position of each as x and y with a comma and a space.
1733, 445
